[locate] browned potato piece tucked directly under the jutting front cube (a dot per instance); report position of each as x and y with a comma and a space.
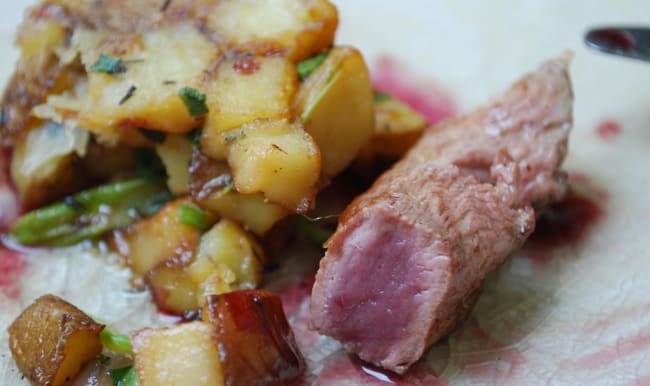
211, 187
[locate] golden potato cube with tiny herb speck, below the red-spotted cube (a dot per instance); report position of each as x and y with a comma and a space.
276, 158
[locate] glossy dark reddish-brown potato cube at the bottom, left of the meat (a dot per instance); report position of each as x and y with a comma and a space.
255, 340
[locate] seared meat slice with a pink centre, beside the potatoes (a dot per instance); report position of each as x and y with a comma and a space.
407, 260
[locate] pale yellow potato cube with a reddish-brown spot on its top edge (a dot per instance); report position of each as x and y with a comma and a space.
243, 90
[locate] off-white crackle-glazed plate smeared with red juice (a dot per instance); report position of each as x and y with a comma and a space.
570, 308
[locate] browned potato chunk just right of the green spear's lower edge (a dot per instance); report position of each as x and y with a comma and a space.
157, 239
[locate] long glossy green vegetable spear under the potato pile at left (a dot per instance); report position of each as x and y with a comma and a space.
90, 213
